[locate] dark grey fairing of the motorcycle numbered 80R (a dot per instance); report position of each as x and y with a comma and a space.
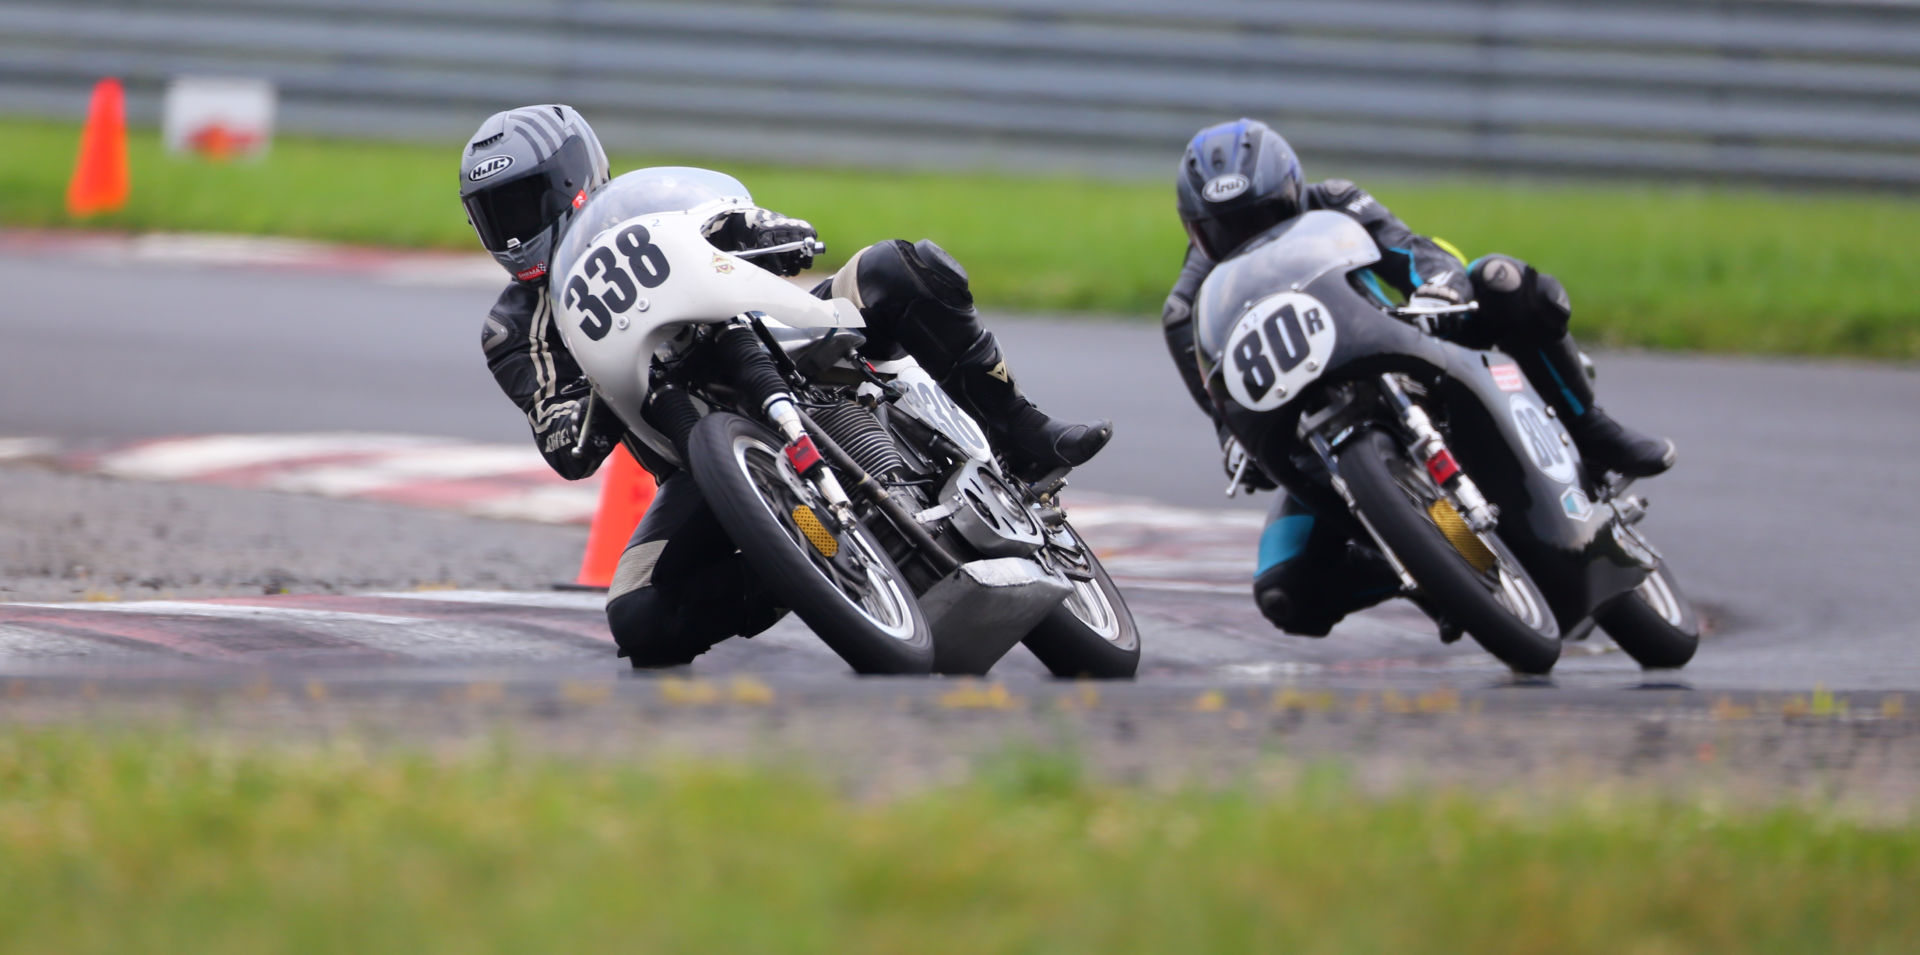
1284, 324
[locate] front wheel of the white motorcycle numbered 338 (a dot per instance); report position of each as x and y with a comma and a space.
838, 581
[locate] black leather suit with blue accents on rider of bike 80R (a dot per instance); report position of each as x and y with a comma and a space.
1312, 574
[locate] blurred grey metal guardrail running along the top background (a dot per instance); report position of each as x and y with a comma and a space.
1823, 91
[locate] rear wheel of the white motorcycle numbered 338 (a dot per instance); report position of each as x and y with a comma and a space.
1092, 633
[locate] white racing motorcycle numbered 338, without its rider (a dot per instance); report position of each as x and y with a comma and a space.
865, 499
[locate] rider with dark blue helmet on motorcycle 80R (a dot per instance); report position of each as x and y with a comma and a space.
1241, 180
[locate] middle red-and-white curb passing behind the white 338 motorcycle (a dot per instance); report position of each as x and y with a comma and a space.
1141, 543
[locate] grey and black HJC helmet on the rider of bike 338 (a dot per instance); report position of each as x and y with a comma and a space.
523, 174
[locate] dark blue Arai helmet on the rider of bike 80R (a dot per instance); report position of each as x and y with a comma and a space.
1237, 182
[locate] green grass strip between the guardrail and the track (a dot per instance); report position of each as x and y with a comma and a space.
1648, 266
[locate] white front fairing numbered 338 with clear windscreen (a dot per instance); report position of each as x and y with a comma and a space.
636, 270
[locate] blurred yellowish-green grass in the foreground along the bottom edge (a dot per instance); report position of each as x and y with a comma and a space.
164, 845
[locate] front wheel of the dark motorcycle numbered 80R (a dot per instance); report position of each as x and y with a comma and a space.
1474, 579
